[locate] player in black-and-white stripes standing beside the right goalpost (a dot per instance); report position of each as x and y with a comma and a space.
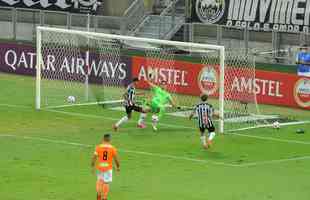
205, 112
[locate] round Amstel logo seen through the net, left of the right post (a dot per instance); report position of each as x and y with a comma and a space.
208, 80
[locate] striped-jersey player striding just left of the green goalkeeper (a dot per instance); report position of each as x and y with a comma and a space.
130, 104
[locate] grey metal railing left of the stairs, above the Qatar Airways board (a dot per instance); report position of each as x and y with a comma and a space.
20, 23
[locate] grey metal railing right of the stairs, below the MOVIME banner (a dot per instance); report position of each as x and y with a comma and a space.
270, 47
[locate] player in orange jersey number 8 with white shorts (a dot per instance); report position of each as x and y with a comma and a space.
102, 160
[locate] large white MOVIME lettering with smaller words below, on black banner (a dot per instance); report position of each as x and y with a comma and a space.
269, 15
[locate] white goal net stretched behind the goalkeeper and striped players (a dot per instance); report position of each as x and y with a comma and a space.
83, 68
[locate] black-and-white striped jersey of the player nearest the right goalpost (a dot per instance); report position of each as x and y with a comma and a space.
204, 113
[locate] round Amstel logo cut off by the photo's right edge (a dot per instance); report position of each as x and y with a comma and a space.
302, 92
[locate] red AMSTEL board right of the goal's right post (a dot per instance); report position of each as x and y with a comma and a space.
276, 88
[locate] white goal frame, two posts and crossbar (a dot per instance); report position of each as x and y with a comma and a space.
220, 49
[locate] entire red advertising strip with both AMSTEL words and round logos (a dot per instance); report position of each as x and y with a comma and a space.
193, 79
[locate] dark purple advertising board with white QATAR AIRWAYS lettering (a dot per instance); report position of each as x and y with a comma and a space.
22, 60
